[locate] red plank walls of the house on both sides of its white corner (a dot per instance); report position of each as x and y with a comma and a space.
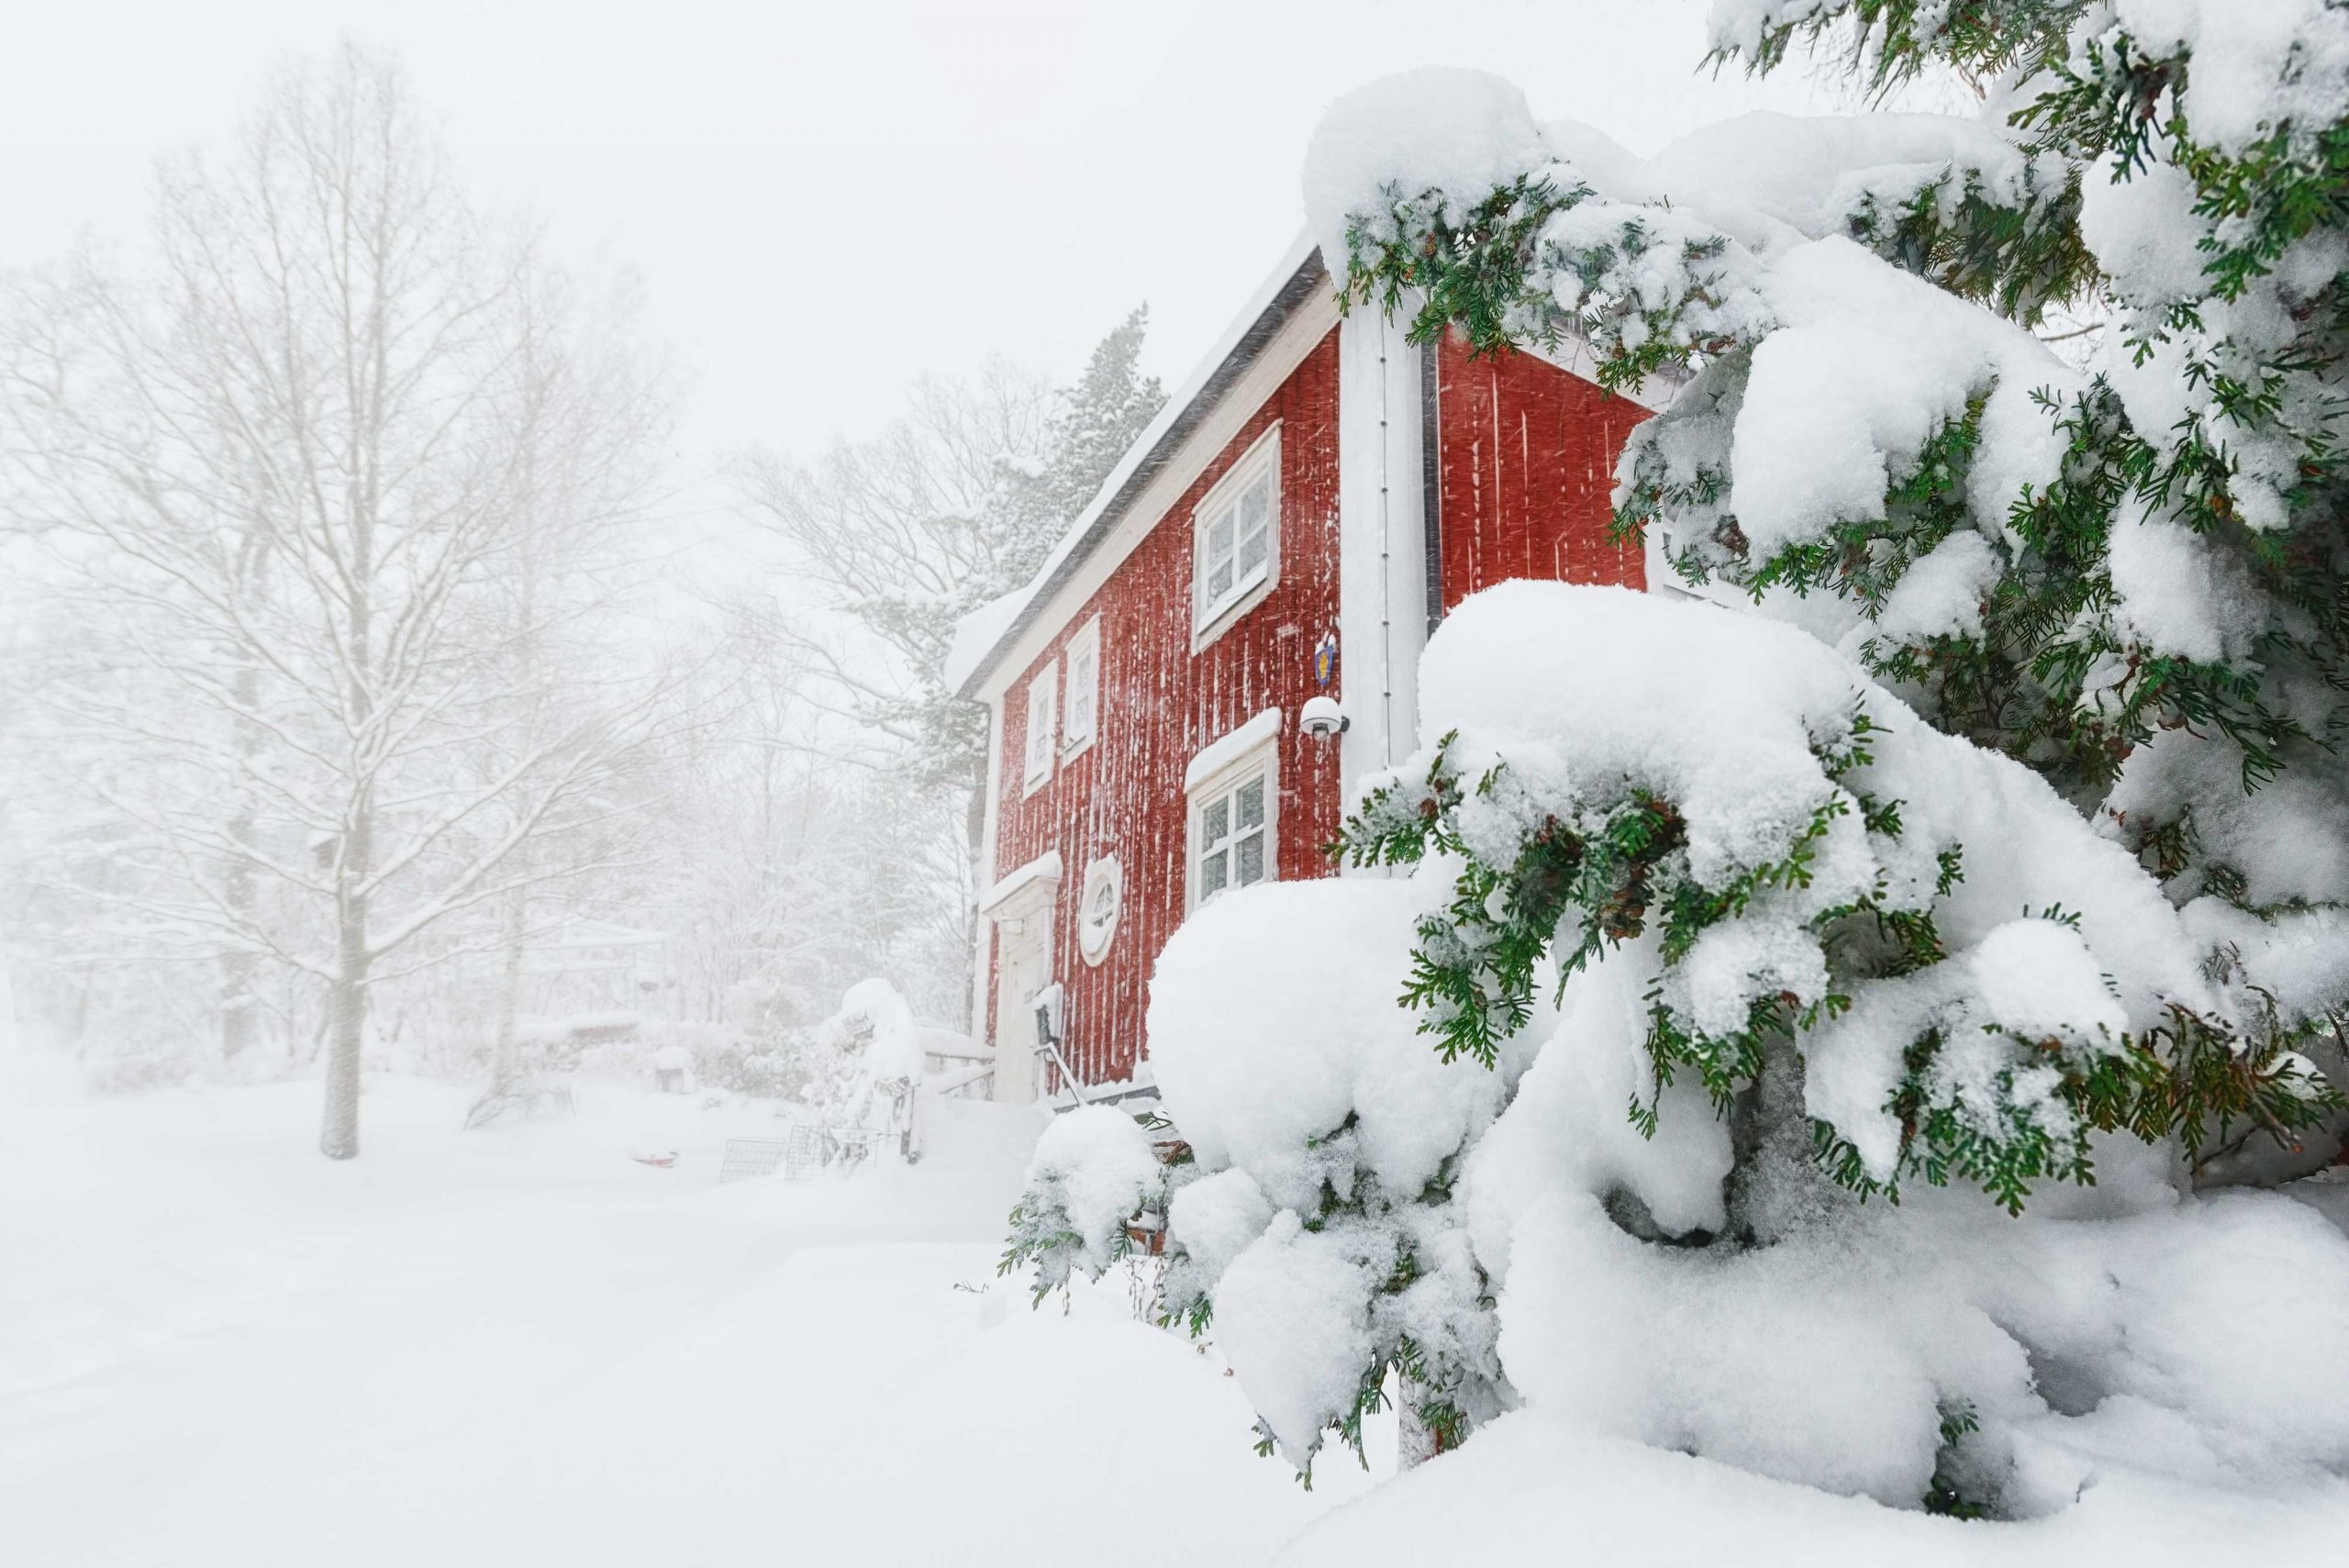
1526, 468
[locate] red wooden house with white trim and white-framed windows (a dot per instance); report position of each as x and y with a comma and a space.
1291, 529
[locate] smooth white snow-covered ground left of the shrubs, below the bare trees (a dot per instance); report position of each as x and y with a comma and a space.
520, 1346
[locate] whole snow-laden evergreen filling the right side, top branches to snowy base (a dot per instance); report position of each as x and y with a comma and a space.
1932, 924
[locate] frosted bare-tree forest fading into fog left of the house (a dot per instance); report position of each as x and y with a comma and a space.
389, 689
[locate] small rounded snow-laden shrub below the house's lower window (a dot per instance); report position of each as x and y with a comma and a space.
1328, 1140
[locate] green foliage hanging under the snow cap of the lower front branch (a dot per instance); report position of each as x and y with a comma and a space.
1596, 872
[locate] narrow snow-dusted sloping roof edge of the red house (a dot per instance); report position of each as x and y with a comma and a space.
983, 637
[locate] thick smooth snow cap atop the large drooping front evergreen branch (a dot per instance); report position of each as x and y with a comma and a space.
1721, 715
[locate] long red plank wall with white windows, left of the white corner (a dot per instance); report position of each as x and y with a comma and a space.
1162, 705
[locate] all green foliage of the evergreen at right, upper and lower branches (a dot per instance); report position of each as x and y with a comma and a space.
2057, 677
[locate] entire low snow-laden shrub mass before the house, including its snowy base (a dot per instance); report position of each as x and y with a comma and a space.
1751, 1187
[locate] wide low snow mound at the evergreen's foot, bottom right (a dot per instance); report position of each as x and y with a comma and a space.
1833, 1358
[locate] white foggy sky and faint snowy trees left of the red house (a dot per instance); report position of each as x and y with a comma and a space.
783, 337
